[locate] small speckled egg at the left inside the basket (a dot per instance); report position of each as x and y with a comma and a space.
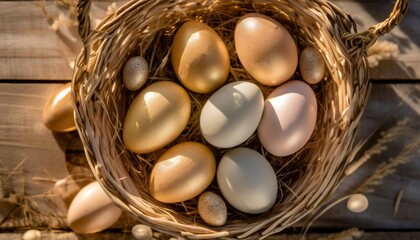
135, 73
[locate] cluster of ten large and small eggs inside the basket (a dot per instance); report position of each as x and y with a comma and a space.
268, 110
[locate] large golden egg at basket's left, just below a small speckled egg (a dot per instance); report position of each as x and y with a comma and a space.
156, 117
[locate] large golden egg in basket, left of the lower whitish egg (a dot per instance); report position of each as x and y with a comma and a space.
182, 172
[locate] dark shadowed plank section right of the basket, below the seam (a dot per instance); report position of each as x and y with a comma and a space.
383, 111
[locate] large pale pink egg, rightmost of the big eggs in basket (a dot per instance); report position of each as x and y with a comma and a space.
289, 118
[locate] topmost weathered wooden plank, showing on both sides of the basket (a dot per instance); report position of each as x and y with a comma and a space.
30, 50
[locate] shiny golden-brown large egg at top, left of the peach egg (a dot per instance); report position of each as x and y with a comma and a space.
199, 57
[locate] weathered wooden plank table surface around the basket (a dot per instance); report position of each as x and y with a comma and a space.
35, 60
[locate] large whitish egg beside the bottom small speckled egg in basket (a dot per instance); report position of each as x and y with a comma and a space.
247, 180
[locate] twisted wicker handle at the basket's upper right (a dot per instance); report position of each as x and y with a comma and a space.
368, 37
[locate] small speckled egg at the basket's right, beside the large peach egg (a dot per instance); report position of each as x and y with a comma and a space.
311, 65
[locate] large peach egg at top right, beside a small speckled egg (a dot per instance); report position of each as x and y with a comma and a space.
266, 49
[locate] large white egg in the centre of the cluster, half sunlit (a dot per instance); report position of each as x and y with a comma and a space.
231, 115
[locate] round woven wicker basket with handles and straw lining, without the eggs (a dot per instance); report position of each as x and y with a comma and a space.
140, 27
